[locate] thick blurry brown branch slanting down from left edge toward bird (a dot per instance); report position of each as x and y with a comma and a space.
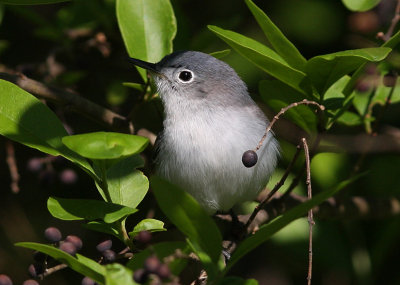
77, 103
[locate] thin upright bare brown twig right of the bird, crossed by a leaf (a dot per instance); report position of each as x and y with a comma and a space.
310, 212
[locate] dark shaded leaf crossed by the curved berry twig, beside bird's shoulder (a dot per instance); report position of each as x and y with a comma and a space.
278, 95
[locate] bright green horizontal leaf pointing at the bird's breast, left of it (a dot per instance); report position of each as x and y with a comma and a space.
105, 145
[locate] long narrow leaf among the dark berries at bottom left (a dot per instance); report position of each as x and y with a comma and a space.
80, 264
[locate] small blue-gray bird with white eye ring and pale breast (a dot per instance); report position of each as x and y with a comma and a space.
210, 121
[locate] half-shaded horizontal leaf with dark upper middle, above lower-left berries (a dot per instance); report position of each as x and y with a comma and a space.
84, 209
